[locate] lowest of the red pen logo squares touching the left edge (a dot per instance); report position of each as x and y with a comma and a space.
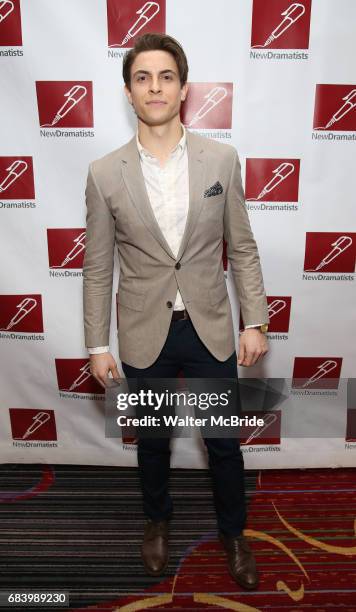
21, 313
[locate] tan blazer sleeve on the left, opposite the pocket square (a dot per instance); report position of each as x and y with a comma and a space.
98, 265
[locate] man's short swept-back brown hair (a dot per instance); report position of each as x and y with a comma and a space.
152, 42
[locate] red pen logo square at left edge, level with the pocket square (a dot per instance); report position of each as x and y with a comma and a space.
16, 178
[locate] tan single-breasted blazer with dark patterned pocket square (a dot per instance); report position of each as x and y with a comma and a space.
119, 211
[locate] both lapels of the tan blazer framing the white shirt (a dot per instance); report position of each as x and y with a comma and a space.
135, 183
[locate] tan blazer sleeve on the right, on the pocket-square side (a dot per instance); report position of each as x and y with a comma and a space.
242, 252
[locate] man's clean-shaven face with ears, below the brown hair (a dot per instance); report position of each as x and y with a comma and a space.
156, 93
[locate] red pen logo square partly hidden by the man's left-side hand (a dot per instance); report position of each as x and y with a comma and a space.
73, 375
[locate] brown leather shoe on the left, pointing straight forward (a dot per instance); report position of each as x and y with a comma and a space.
155, 547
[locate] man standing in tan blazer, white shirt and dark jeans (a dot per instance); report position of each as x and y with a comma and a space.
167, 198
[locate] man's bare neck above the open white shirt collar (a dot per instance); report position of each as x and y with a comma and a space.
159, 140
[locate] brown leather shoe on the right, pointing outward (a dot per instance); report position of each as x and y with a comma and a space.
242, 564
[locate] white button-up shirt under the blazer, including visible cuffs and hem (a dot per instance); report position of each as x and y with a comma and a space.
168, 192
